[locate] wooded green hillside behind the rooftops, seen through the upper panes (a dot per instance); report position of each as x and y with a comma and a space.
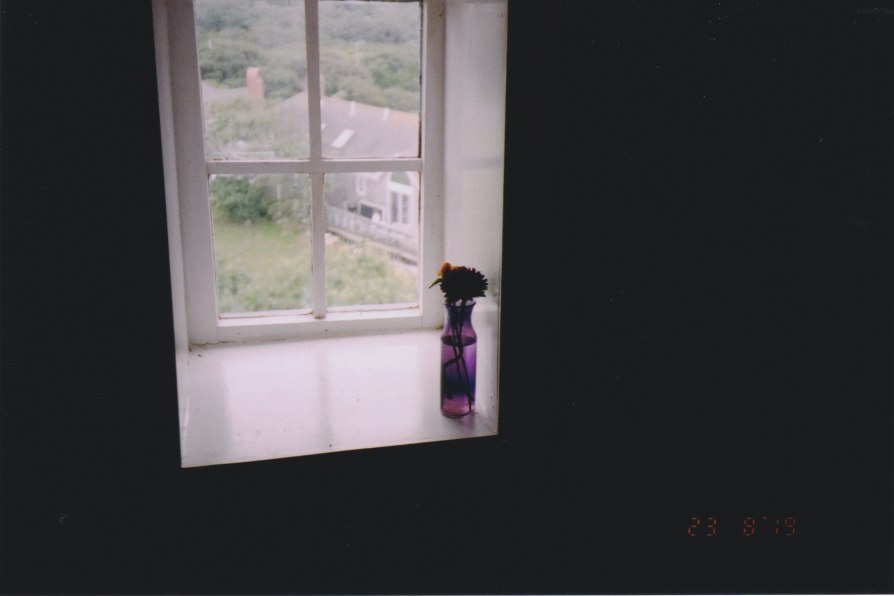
369, 51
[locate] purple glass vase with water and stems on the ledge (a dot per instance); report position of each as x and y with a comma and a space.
458, 360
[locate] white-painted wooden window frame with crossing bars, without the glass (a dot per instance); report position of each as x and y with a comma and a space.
187, 170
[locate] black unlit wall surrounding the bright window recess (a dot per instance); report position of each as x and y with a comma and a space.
697, 321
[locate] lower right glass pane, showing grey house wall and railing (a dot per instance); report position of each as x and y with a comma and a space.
372, 238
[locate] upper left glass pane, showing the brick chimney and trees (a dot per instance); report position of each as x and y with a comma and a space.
253, 67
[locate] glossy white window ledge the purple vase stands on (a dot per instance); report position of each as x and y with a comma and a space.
250, 402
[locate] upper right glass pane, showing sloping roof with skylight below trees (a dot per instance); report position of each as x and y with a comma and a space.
370, 64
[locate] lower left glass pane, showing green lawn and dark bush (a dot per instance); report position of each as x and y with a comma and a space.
261, 242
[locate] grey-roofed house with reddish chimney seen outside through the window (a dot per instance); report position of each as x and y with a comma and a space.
382, 207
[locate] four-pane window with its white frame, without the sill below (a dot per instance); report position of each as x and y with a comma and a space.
285, 115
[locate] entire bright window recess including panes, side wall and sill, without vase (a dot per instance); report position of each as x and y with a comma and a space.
300, 147
